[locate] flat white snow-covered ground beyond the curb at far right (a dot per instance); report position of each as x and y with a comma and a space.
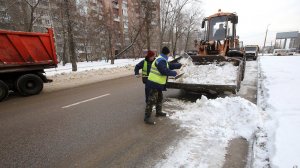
279, 98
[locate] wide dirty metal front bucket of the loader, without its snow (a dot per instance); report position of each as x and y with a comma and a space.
211, 88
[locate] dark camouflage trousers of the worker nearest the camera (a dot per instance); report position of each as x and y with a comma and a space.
155, 98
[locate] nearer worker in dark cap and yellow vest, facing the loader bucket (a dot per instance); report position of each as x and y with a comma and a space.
157, 79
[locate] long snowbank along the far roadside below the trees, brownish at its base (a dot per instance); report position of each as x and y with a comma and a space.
88, 72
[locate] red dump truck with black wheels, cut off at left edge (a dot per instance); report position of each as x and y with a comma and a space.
23, 58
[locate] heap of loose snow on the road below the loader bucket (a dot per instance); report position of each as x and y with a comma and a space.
211, 124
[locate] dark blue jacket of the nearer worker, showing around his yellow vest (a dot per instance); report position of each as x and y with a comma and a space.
164, 70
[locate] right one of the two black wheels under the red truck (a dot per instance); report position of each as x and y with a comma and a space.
29, 84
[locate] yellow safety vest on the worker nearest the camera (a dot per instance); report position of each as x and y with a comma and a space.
155, 76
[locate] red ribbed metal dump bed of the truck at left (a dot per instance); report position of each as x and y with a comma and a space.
23, 51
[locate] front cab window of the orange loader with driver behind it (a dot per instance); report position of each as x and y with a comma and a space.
218, 28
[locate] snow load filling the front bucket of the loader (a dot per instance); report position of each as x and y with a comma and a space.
212, 74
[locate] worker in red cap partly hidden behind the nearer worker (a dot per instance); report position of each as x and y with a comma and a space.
145, 65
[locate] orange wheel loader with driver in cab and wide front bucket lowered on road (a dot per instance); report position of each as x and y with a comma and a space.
219, 45
